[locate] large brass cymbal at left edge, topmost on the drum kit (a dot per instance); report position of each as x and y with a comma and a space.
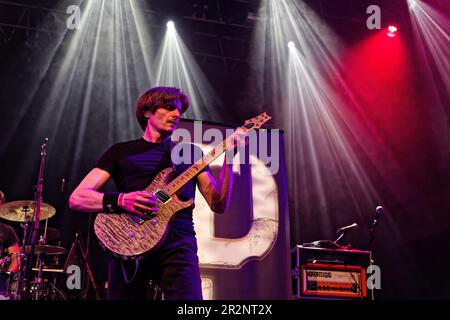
19, 210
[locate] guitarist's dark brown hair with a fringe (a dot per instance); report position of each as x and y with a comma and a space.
156, 97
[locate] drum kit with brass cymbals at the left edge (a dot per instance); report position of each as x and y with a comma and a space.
36, 282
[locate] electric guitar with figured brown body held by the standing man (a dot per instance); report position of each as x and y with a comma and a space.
128, 236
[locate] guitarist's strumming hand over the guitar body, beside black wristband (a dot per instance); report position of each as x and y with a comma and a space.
140, 203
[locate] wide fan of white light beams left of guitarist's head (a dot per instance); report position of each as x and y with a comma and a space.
109, 59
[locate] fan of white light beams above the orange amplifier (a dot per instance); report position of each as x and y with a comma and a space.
300, 82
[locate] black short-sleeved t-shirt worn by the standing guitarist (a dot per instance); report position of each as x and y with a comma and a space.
134, 164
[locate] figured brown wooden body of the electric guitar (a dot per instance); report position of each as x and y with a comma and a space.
129, 237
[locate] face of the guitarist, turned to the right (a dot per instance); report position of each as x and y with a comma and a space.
165, 118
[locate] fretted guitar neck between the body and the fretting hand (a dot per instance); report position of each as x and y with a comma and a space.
197, 167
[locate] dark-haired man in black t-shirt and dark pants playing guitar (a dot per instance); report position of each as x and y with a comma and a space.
133, 165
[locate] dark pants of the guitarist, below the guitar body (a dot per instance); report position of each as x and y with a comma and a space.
174, 267
